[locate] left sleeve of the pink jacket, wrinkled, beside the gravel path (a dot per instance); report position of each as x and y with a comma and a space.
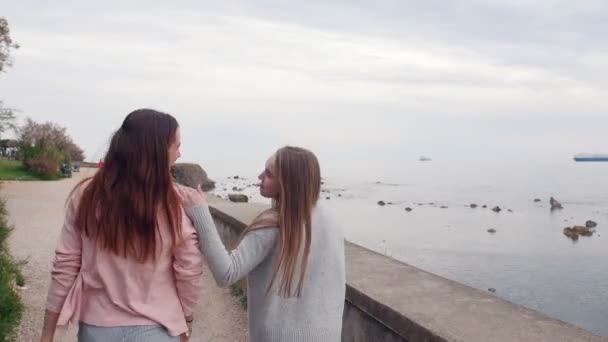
66, 264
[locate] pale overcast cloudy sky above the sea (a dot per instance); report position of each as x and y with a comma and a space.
379, 82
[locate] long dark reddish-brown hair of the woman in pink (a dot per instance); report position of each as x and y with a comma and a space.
120, 205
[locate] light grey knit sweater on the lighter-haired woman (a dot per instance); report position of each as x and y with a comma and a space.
316, 315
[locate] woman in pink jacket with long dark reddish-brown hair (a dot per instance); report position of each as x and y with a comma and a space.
128, 265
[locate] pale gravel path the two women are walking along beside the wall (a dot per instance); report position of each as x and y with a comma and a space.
36, 209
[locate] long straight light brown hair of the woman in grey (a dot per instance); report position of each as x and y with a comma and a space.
299, 178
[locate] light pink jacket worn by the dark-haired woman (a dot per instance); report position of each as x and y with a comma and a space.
103, 289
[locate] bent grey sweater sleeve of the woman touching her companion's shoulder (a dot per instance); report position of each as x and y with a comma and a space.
229, 267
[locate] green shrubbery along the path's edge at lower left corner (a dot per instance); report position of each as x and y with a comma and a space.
11, 307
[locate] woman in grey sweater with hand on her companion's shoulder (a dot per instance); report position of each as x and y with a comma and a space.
292, 254
